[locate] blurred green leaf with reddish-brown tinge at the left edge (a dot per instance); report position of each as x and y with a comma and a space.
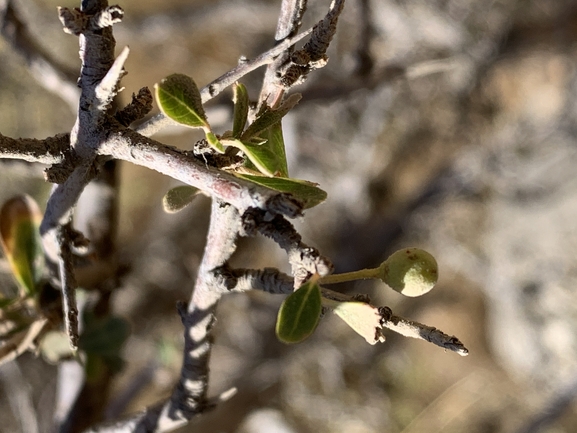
20, 238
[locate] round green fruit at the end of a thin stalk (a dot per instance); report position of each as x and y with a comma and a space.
410, 271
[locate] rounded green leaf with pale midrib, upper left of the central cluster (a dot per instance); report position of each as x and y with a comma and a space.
179, 99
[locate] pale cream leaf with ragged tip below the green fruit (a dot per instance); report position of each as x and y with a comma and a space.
363, 318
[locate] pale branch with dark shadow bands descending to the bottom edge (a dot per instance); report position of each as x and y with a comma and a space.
189, 397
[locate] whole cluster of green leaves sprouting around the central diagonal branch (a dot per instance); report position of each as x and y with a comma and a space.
262, 141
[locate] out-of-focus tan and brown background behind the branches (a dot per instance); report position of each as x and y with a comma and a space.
448, 124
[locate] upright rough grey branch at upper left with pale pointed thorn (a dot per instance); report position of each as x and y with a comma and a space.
99, 76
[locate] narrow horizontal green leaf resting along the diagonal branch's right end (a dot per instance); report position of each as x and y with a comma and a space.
306, 192
